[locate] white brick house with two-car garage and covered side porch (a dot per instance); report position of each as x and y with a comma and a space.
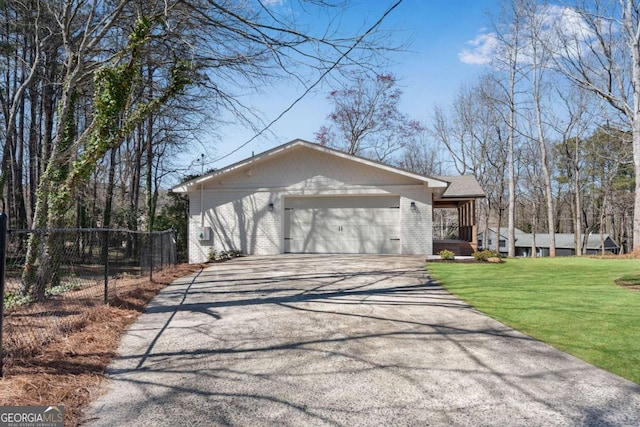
305, 198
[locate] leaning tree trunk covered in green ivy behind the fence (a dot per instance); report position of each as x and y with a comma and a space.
115, 116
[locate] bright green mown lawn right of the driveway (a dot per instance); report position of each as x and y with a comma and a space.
570, 303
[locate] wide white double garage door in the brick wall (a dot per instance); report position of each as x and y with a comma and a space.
342, 225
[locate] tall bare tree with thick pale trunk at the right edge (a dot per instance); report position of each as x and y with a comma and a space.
601, 54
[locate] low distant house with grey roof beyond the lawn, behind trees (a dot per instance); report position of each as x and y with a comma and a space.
564, 243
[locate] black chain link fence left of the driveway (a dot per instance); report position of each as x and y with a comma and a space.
74, 269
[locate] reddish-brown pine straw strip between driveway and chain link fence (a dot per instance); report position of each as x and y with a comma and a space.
69, 369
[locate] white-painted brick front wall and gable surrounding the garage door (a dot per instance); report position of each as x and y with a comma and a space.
237, 206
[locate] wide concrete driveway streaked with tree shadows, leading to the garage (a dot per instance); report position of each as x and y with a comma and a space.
342, 340
